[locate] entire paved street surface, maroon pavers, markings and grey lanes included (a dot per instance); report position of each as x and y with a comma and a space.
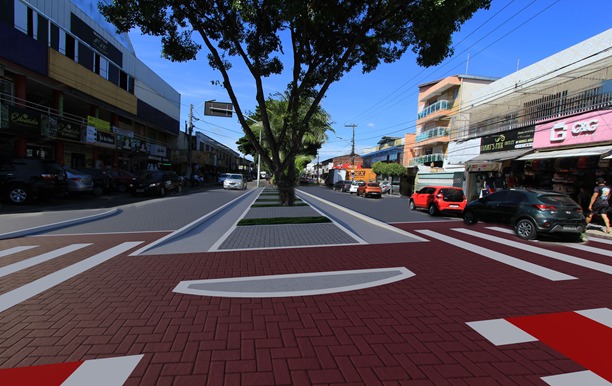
448, 304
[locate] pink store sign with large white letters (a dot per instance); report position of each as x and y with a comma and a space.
582, 129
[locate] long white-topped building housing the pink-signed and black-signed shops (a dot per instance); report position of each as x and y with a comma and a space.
547, 125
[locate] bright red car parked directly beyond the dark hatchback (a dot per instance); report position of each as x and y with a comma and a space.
439, 199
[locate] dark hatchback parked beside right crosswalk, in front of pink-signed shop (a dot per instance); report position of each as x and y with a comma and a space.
530, 212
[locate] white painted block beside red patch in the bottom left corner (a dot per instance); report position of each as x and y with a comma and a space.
103, 372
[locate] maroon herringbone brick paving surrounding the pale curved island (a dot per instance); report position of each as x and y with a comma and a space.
409, 332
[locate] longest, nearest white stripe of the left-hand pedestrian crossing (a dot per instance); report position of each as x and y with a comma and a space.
18, 295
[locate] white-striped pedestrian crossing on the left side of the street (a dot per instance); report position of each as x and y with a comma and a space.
24, 292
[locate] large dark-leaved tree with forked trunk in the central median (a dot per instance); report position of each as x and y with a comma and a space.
319, 41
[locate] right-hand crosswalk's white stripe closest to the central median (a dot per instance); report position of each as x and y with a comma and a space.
500, 257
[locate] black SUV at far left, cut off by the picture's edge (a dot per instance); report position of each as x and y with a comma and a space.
23, 179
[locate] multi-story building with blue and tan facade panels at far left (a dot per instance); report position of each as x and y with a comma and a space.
73, 90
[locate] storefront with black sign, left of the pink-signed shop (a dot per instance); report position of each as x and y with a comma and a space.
496, 166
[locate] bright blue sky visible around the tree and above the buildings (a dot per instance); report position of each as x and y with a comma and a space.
511, 35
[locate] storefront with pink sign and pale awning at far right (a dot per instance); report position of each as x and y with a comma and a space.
571, 153
